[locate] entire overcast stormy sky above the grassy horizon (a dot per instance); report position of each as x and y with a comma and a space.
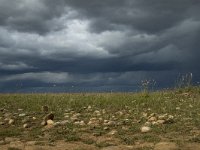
97, 45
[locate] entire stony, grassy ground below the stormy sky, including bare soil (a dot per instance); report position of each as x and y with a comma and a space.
167, 120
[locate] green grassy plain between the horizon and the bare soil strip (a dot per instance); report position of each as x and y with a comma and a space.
127, 113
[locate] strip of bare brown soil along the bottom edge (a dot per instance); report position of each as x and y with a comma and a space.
62, 145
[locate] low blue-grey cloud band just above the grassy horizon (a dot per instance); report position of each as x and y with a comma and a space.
64, 82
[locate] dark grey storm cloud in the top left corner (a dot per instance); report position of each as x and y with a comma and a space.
31, 16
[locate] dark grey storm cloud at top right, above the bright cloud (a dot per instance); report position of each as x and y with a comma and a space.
148, 16
